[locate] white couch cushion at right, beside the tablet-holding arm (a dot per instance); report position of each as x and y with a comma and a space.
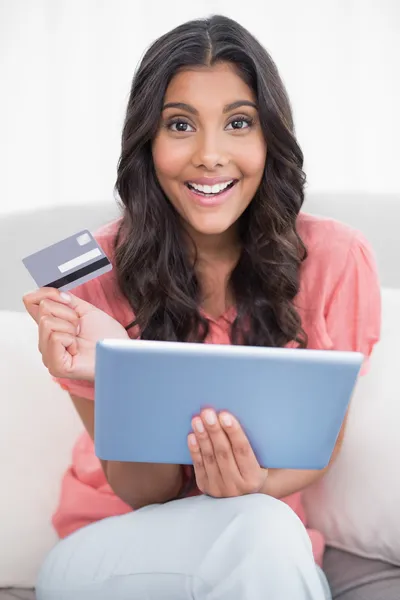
356, 505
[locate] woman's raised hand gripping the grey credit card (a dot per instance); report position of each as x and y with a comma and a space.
68, 331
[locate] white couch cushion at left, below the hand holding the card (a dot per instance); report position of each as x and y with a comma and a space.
37, 428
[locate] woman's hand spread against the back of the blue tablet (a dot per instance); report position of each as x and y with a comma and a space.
224, 462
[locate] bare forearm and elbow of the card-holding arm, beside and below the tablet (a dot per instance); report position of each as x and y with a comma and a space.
137, 484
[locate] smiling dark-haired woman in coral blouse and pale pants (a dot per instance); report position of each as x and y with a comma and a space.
213, 247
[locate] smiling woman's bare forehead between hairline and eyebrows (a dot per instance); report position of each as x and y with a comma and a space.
204, 87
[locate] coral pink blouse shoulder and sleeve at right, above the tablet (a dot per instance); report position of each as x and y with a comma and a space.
339, 297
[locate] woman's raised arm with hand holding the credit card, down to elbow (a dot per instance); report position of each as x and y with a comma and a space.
69, 354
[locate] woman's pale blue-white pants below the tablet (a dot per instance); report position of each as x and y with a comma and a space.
246, 548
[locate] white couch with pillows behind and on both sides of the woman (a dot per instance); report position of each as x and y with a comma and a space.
355, 505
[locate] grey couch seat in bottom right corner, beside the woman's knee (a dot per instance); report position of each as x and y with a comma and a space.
354, 578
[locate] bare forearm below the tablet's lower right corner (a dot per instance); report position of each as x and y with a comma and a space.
283, 482
